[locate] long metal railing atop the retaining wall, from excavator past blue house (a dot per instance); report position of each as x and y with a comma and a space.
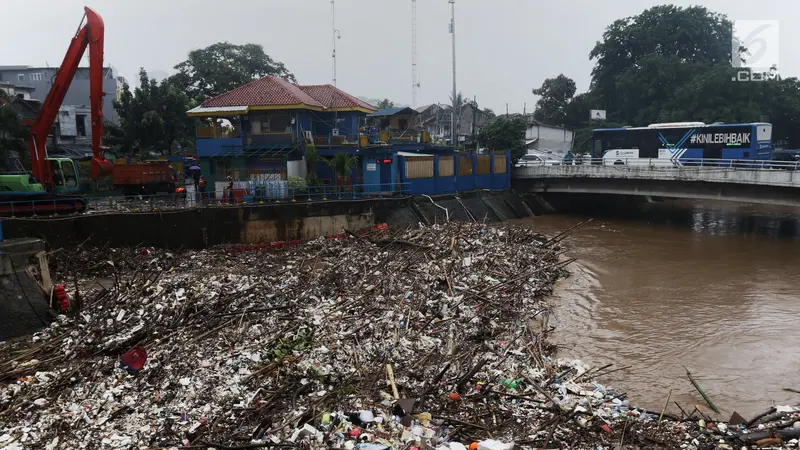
177, 201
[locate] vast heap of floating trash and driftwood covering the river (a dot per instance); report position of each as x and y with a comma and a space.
432, 338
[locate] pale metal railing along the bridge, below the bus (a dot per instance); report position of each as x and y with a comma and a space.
669, 164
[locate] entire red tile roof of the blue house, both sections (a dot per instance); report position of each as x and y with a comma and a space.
273, 91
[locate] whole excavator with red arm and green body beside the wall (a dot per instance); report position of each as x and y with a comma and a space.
47, 188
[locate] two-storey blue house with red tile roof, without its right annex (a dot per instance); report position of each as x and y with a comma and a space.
261, 129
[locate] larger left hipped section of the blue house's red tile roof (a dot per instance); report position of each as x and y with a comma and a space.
267, 91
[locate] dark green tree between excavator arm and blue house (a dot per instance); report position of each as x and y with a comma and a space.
153, 117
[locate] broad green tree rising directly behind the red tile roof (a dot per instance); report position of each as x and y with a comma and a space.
223, 66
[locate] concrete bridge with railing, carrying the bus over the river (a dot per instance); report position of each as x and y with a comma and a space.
765, 182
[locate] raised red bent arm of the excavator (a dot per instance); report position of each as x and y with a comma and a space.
91, 35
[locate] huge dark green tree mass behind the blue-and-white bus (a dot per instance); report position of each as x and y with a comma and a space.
670, 64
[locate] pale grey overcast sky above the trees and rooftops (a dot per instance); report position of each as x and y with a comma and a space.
504, 47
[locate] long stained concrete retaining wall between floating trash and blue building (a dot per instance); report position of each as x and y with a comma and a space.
200, 228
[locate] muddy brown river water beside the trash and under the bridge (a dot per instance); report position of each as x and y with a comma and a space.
709, 286
